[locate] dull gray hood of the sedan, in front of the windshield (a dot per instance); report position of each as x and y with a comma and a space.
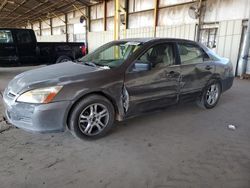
57, 74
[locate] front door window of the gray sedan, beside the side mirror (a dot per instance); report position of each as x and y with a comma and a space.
158, 56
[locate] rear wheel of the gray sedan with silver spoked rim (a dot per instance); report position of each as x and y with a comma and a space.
210, 95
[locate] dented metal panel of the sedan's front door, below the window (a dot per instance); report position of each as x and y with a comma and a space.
152, 89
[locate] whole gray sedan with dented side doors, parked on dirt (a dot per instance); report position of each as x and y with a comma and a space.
118, 80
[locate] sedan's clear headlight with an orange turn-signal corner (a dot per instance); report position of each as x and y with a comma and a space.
39, 96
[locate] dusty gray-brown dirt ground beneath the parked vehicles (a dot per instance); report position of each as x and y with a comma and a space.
183, 146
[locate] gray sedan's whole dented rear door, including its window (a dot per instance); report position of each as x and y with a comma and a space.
197, 68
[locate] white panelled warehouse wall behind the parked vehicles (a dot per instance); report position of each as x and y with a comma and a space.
173, 22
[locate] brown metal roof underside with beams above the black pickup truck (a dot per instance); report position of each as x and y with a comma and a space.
16, 13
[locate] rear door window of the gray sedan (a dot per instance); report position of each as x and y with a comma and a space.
190, 54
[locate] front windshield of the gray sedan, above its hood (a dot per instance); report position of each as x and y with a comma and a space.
111, 55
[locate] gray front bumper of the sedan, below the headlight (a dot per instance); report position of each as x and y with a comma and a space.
37, 117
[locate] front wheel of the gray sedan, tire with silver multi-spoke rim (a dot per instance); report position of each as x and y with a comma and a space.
92, 117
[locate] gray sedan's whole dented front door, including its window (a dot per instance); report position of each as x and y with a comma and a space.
152, 80
